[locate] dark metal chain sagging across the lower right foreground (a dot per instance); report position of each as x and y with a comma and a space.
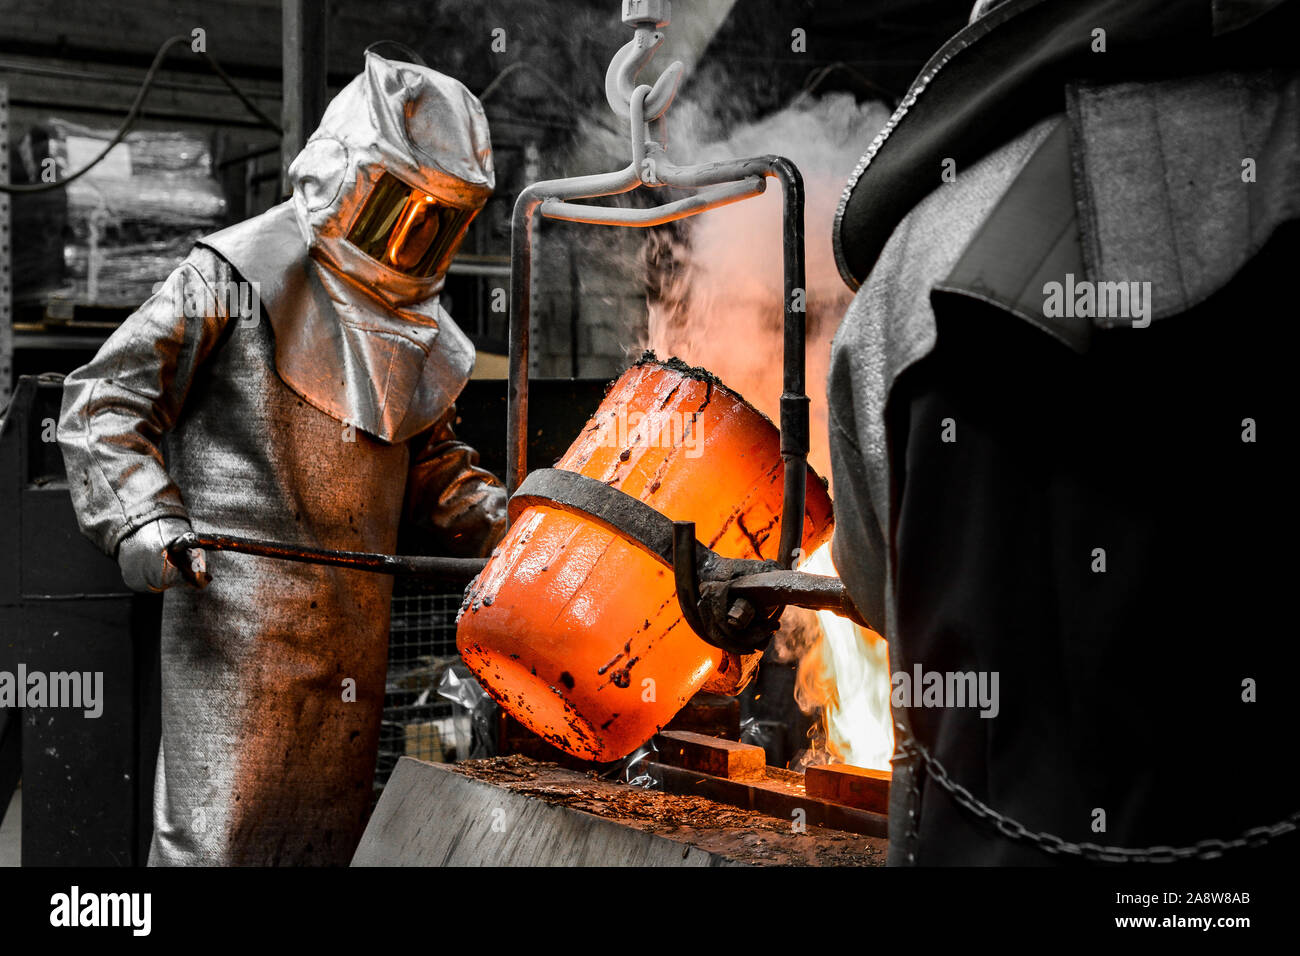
1051, 843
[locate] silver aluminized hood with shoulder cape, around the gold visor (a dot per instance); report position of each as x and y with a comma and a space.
358, 340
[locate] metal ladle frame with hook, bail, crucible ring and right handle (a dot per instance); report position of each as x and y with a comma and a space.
730, 603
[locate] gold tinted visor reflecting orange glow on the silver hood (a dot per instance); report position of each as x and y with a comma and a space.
408, 230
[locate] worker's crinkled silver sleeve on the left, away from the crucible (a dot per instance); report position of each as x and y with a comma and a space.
118, 408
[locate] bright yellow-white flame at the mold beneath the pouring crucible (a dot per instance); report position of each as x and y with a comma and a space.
847, 674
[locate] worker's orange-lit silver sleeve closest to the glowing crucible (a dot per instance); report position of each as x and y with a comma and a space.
449, 496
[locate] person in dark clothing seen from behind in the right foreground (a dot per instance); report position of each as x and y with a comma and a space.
1060, 431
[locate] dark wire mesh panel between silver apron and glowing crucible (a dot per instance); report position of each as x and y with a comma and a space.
417, 721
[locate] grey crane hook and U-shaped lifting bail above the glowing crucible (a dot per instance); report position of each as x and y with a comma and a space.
718, 184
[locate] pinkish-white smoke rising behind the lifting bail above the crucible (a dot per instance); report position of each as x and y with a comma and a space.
717, 295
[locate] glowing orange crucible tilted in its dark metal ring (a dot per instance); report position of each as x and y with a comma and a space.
587, 622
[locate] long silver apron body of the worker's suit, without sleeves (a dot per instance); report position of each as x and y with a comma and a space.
274, 677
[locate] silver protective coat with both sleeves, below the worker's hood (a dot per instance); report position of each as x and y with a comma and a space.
272, 677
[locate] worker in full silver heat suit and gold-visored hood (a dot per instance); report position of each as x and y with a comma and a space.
322, 418
